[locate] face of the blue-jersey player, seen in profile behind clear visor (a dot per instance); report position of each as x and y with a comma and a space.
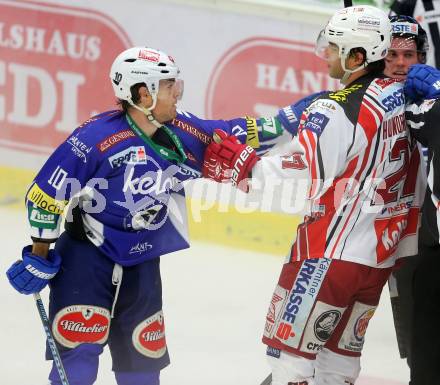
169, 92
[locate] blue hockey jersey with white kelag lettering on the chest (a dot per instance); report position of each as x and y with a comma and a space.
128, 187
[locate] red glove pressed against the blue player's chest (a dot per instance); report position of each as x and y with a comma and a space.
228, 160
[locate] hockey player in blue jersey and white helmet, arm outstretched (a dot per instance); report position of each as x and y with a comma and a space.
122, 173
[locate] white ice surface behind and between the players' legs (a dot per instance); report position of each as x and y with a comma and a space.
215, 301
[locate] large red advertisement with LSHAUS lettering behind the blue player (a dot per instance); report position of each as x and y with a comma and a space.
54, 71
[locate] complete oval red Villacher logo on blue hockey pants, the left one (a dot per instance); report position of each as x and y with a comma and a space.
78, 324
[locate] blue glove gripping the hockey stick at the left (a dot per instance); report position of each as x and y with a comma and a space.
33, 273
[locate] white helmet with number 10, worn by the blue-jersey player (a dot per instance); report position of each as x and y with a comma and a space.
141, 65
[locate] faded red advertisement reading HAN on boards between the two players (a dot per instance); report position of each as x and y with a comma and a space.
259, 75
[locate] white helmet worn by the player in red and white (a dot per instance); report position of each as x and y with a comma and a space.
360, 26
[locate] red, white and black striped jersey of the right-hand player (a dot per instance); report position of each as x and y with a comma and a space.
365, 187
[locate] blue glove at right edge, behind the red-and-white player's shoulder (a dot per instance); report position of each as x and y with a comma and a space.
422, 82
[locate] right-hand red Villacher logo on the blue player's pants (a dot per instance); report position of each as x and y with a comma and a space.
149, 336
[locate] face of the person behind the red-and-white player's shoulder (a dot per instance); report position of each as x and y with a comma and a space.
401, 55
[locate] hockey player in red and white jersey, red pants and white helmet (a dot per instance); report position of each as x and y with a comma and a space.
362, 166
